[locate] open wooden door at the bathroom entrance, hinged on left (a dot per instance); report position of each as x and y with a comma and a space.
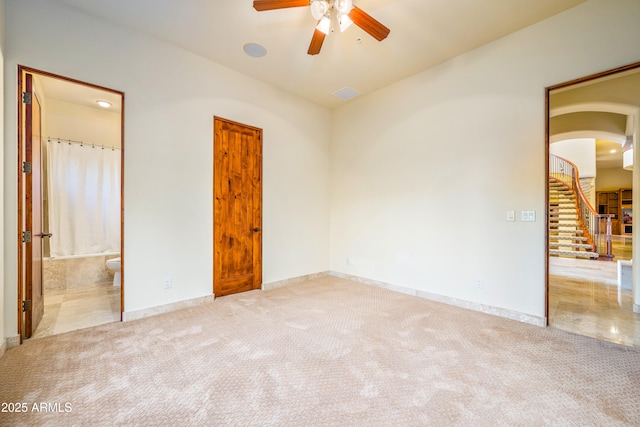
32, 304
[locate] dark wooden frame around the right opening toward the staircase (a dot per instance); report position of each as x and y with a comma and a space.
548, 91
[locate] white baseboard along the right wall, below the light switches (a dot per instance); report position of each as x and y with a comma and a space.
469, 305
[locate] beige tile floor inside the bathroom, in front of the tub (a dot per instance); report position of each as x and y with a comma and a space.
78, 307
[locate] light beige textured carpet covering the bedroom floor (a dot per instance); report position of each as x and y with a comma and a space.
327, 352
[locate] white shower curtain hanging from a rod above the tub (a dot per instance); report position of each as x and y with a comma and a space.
84, 199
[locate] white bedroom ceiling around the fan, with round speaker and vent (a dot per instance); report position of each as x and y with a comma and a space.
423, 33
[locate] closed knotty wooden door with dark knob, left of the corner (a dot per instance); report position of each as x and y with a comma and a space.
237, 224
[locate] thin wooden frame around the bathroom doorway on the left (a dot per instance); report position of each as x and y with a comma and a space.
20, 207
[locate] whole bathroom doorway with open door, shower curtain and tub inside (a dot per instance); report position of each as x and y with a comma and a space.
70, 183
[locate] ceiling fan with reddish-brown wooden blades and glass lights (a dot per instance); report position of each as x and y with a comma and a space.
325, 11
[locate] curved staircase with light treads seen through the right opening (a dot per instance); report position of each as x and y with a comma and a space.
566, 232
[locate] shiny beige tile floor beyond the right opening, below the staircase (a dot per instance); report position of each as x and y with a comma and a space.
584, 298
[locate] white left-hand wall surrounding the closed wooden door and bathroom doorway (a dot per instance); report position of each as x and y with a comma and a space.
171, 97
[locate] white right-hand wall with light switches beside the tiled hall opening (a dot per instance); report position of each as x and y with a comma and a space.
424, 171
